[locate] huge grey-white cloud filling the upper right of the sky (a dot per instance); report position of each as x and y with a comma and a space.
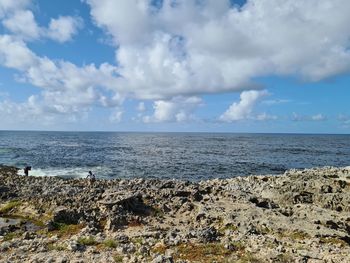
195, 47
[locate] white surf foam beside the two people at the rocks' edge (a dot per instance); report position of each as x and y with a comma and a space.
78, 172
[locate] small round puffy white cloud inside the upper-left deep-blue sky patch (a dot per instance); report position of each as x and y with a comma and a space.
63, 28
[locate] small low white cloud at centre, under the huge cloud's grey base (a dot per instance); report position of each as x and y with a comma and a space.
176, 110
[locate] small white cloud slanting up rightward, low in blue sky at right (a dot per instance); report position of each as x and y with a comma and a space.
243, 109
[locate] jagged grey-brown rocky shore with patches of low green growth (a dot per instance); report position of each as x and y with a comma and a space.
300, 216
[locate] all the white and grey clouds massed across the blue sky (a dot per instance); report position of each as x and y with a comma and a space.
173, 52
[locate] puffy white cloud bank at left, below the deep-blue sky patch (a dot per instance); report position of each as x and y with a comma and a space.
66, 88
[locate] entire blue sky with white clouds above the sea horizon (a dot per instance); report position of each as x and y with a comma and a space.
264, 66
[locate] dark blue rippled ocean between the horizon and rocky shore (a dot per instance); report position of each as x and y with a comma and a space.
187, 156
